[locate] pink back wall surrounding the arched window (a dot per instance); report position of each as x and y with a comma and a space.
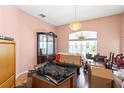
108, 30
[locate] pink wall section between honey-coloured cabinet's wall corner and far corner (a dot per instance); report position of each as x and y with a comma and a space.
29, 25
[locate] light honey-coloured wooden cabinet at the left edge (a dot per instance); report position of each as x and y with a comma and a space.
7, 63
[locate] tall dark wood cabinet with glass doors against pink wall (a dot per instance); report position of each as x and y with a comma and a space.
45, 46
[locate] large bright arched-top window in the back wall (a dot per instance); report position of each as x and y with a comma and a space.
83, 42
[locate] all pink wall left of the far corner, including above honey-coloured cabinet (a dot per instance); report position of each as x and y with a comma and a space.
23, 28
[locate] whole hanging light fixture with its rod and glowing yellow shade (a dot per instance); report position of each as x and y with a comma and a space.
75, 24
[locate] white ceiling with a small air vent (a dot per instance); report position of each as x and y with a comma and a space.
60, 15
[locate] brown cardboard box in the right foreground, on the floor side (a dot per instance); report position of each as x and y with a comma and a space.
101, 78
